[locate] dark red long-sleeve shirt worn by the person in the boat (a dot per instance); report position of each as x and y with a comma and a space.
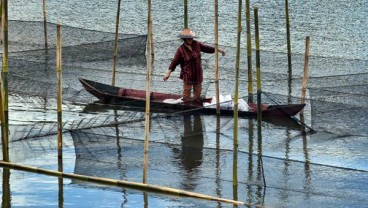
190, 61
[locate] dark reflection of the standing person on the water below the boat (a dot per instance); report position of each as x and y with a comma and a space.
191, 154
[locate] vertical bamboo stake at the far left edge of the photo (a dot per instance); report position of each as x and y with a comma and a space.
5, 72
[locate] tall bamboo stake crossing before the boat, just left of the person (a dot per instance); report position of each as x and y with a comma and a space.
148, 86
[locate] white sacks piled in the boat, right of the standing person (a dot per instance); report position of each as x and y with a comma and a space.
227, 103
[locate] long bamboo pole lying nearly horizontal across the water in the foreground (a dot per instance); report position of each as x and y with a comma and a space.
121, 183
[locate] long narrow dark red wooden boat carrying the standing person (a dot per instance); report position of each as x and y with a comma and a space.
131, 97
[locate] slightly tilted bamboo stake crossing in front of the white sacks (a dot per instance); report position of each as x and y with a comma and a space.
236, 99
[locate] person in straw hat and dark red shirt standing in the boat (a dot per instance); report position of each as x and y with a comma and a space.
188, 55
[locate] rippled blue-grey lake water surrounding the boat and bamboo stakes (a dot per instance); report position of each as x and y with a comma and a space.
328, 168
